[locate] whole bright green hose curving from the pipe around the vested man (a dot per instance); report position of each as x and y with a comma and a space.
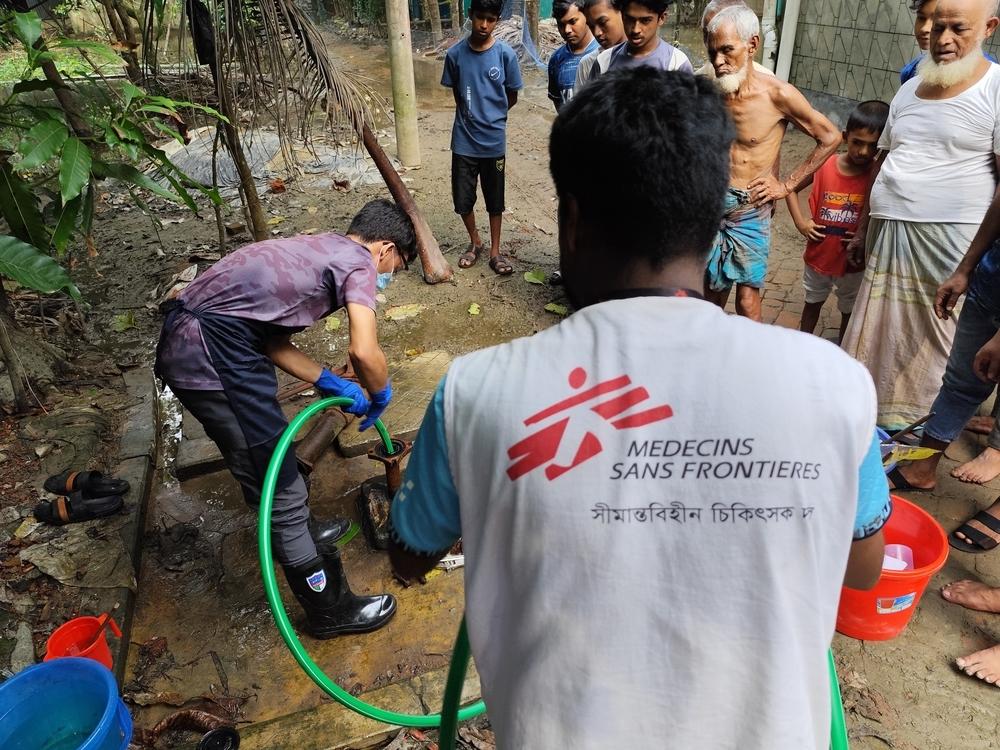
460, 657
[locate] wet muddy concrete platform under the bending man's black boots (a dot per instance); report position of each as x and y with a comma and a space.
200, 590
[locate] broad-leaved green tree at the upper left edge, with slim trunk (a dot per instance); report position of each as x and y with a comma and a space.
54, 151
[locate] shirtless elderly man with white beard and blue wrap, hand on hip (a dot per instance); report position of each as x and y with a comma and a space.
761, 108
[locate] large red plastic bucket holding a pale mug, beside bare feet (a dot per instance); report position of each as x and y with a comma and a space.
883, 612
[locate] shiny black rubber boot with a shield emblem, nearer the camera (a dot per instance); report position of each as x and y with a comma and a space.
331, 607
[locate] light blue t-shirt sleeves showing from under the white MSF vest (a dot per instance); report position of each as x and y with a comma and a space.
426, 515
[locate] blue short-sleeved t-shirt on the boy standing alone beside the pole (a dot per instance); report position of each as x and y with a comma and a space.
481, 81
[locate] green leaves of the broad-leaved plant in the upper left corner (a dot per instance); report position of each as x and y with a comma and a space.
53, 160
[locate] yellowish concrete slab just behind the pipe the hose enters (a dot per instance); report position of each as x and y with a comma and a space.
413, 384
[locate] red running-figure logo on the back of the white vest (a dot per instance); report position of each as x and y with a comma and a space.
544, 446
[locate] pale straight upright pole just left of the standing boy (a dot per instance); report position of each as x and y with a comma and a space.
404, 90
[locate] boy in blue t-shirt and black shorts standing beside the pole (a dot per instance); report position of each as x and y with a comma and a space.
484, 75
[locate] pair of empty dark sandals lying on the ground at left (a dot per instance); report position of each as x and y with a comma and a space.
83, 496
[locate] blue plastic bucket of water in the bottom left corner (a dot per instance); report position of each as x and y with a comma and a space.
63, 704
